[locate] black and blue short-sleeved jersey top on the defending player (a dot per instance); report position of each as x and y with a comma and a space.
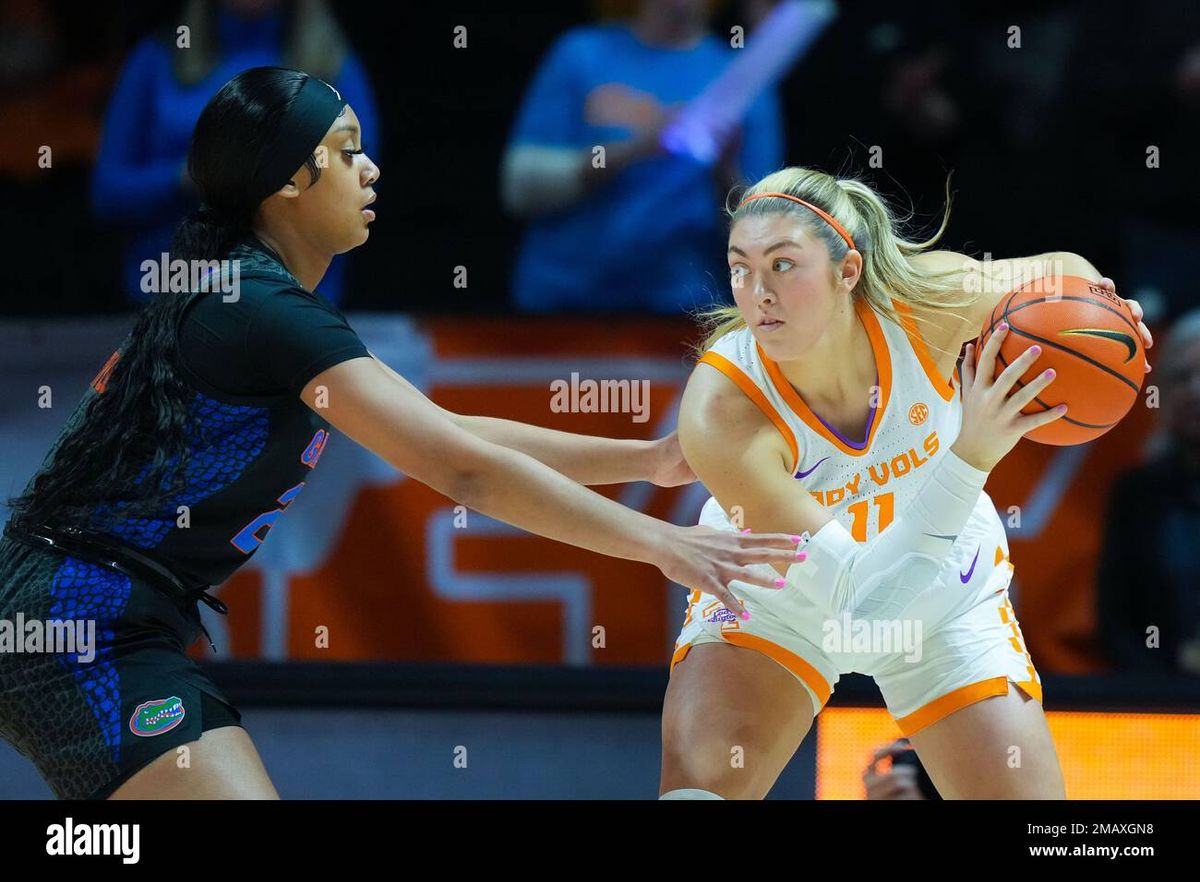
254, 442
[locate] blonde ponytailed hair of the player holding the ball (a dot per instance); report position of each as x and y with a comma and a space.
877, 231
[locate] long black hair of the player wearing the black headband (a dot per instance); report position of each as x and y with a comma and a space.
129, 447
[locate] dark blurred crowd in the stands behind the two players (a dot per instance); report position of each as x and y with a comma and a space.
1067, 125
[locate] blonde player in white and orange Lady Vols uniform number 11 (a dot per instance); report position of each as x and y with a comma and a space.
825, 405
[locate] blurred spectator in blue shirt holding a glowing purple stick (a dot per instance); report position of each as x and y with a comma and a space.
645, 232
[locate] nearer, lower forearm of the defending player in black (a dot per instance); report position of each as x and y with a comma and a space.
519, 490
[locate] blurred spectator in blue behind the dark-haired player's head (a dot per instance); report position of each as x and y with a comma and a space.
141, 178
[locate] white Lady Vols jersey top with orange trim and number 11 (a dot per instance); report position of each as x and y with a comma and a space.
863, 482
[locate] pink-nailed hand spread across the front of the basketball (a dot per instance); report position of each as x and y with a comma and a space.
993, 422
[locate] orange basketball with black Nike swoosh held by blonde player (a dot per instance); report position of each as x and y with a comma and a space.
1089, 338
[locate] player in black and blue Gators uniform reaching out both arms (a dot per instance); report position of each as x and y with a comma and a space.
201, 431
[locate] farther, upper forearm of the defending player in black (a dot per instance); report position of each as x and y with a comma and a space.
583, 458
